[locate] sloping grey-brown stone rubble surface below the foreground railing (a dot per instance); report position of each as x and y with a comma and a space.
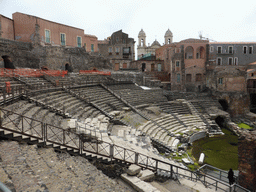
28, 168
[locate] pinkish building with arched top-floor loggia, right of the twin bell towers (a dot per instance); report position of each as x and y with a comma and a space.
186, 63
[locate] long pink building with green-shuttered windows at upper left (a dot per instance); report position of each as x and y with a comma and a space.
51, 33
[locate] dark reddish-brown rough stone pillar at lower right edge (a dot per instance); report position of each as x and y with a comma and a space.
247, 160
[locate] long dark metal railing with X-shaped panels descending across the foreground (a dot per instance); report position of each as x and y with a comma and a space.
49, 134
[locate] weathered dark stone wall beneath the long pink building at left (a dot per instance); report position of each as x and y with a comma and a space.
55, 57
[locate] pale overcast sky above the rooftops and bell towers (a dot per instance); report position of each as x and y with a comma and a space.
219, 20
